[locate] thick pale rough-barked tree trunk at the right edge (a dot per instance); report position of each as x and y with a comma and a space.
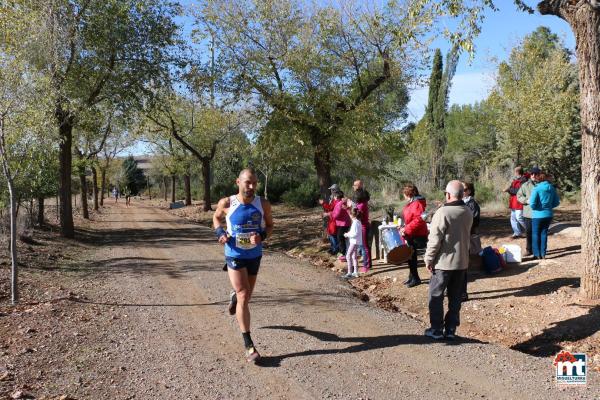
585, 25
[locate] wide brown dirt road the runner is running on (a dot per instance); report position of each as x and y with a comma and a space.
170, 337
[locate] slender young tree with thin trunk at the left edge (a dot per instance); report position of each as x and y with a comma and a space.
22, 115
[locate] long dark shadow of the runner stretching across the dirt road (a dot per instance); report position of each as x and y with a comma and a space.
363, 343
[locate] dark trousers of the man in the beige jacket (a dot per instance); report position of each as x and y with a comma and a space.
452, 281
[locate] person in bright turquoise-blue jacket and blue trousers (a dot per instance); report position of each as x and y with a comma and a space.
543, 199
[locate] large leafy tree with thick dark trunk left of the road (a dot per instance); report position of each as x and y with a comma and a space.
95, 50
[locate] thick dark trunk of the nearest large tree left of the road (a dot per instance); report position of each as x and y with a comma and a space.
65, 158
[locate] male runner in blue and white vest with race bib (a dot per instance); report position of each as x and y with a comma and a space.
249, 223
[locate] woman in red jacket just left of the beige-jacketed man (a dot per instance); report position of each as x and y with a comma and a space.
415, 229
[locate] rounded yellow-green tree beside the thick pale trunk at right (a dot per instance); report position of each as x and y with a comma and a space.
535, 102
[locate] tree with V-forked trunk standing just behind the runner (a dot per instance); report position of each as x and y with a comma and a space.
200, 110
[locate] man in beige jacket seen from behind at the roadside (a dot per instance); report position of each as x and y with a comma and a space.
447, 258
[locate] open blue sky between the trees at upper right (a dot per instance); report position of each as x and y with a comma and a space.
501, 31
